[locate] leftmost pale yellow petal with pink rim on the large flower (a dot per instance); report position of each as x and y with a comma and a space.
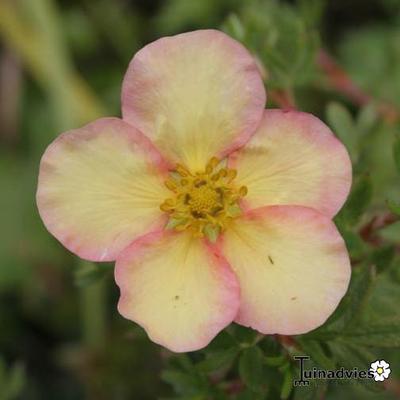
98, 190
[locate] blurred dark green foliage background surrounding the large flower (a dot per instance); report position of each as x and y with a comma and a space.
61, 65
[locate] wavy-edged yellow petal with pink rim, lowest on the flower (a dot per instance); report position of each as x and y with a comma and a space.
176, 289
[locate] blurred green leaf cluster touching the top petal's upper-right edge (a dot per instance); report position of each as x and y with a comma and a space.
288, 46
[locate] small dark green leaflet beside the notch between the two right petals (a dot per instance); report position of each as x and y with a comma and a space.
358, 201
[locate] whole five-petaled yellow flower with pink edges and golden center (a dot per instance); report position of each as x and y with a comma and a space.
204, 230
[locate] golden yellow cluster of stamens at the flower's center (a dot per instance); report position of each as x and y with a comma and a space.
203, 201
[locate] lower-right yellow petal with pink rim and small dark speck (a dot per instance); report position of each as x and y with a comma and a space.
292, 266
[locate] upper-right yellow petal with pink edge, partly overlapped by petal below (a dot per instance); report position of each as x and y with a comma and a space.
294, 159
